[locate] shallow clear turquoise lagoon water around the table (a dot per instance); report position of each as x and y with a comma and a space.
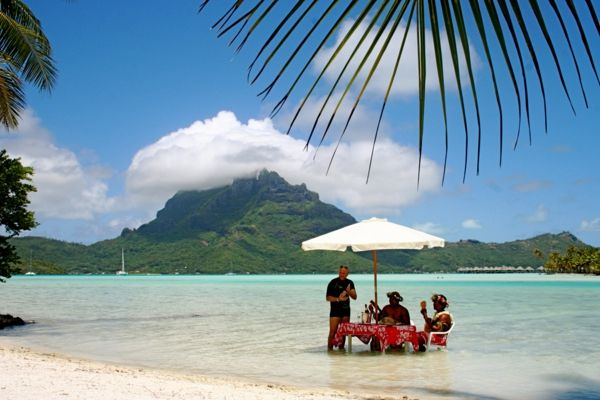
522, 336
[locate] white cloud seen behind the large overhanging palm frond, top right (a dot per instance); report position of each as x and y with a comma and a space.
407, 79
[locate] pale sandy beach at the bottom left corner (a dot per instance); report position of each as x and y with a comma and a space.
26, 374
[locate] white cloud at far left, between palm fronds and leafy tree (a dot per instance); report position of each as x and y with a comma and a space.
65, 189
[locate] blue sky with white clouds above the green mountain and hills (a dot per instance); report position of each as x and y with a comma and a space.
149, 101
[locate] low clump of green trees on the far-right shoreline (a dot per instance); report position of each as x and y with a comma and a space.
577, 259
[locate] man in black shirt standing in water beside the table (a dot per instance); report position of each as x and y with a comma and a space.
339, 292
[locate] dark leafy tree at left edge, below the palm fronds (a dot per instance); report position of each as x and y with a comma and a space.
14, 217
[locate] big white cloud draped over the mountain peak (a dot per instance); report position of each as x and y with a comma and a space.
213, 152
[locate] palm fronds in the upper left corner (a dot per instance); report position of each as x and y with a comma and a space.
25, 55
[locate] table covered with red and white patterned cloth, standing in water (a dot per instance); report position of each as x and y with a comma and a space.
388, 335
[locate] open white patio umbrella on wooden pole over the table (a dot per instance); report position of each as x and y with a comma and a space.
373, 234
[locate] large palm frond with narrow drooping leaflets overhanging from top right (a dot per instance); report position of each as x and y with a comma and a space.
514, 36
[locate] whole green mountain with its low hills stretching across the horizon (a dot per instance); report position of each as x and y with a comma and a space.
256, 225
